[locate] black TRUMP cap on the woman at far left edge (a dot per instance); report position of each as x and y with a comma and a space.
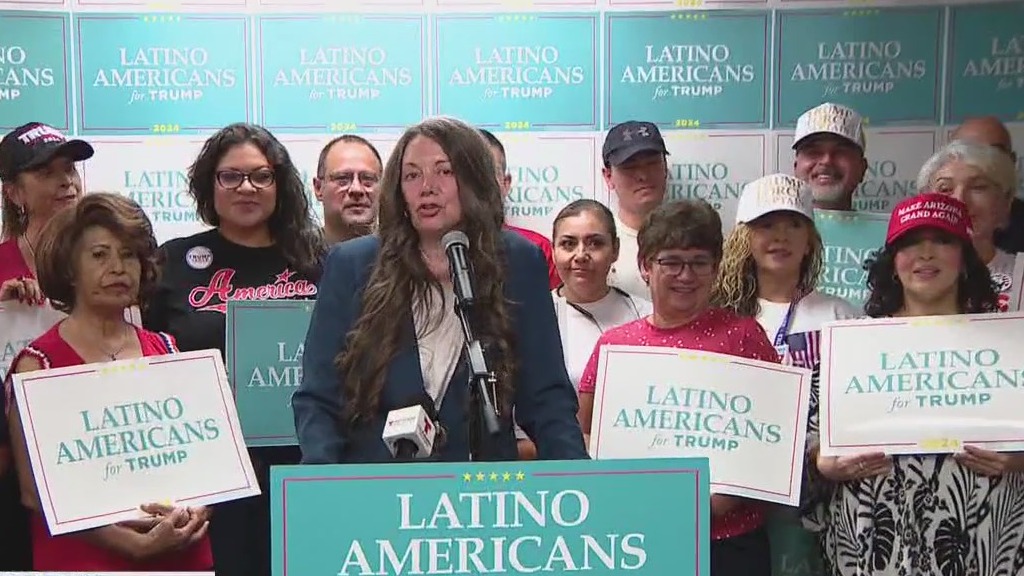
34, 145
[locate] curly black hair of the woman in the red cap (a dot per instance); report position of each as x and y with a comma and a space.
975, 291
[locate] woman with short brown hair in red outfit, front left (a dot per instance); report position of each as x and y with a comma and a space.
95, 261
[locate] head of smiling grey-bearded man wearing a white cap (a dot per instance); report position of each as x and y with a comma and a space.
830, 146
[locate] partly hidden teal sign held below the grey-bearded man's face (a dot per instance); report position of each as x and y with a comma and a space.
849, 239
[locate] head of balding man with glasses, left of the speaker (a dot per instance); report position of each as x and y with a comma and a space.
349, 175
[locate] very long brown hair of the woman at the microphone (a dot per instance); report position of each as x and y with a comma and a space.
400, 275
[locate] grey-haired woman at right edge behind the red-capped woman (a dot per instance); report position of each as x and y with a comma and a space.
985, 179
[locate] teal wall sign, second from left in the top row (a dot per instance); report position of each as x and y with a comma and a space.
162, 74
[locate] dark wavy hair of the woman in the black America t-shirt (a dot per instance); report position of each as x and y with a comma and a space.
292, 225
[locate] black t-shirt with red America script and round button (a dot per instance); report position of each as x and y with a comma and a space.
201, 273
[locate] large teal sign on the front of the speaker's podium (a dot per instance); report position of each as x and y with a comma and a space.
648, 518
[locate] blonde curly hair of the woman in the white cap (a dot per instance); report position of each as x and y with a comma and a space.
737, 285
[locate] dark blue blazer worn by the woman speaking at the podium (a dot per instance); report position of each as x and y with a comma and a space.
545, 401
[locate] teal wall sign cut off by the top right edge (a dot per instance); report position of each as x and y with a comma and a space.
987, 63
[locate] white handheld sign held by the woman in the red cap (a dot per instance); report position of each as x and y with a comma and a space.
922, 386
